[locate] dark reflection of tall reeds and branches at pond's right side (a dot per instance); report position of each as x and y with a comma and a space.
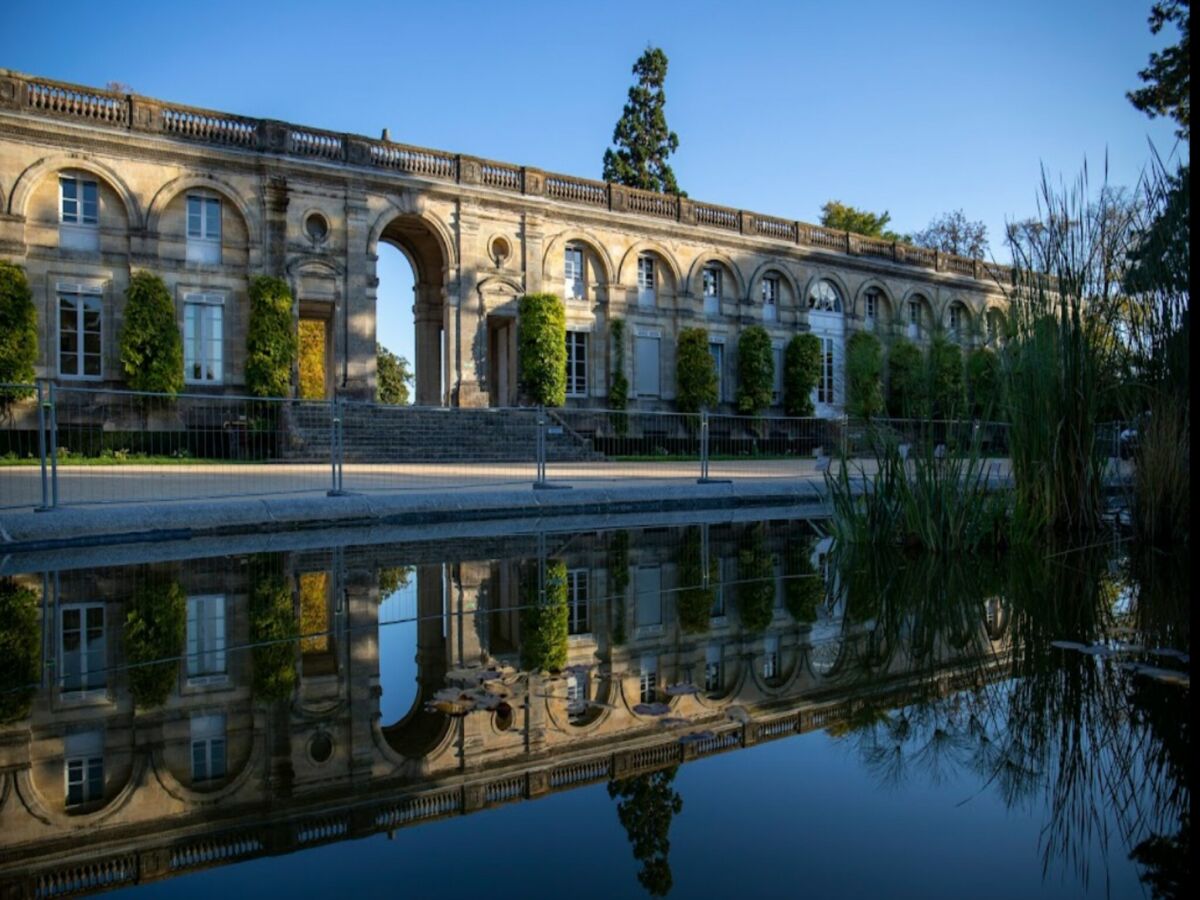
1073, 733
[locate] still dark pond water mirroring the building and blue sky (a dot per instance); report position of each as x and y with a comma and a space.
731, 709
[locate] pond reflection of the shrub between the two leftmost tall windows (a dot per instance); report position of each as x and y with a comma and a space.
155, 629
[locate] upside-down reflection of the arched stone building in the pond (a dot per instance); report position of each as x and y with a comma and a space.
99, 791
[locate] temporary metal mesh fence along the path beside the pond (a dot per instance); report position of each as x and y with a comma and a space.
65, 446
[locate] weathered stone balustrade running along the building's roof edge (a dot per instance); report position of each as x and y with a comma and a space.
41, 97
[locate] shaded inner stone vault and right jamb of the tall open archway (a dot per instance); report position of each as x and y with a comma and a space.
429, 253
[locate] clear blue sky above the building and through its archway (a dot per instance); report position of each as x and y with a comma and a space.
914, 109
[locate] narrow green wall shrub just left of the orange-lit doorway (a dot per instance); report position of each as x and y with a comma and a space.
272, 344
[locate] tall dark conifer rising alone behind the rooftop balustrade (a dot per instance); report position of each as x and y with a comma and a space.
643, 141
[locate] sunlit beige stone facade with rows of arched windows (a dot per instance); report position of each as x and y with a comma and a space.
313, 207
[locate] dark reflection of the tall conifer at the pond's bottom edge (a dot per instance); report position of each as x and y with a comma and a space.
646, 809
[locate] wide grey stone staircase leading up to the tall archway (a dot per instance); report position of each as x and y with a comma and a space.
389, 434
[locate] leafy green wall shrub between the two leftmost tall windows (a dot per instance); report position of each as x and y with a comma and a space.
152, 347
